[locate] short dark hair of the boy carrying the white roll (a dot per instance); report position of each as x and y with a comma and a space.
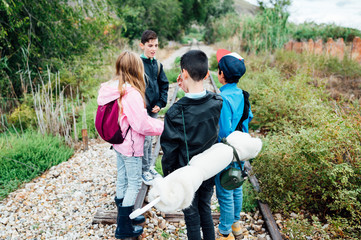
196, 63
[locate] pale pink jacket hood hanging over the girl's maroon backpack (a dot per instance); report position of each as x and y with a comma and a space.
109, 92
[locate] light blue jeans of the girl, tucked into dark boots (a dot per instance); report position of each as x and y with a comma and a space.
129, 181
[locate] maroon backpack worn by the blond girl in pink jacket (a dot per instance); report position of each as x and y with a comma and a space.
106, 123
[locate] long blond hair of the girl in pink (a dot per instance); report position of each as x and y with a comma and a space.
129, 69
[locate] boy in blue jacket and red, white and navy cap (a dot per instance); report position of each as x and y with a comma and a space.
230, 69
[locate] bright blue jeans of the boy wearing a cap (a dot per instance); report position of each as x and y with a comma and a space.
230, 203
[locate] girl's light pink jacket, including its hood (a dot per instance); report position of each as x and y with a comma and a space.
134, 114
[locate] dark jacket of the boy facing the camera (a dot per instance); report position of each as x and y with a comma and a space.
156, 91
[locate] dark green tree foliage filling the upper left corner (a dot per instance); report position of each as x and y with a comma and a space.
35, 34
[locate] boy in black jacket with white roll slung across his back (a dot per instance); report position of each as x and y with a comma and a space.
191, 127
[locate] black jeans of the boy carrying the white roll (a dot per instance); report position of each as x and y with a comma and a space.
199, 214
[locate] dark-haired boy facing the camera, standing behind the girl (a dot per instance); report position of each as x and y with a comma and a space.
156, 94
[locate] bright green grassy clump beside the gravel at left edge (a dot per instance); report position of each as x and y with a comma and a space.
23, 158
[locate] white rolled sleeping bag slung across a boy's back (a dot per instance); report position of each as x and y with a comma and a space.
176, 191
